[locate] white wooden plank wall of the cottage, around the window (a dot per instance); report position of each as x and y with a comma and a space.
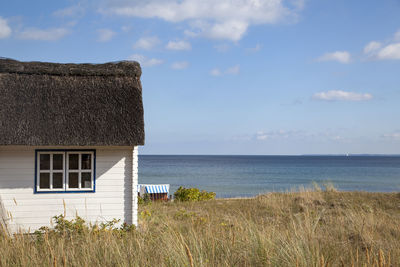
113, 197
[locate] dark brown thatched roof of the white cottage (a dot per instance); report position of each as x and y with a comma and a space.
48, 104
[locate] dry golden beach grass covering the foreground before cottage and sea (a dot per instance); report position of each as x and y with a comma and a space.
307, 228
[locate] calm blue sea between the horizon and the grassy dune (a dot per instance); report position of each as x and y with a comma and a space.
234, 176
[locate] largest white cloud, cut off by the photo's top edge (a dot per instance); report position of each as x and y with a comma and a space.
223, 19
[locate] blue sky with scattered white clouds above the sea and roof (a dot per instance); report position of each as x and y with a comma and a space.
235, 76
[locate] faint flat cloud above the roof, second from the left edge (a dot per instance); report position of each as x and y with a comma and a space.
51, 34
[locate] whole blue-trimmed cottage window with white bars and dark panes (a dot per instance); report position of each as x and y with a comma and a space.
65, 171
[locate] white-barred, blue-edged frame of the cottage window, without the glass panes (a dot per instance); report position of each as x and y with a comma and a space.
65, 171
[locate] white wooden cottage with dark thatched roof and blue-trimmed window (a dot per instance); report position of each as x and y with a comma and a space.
68, 142
